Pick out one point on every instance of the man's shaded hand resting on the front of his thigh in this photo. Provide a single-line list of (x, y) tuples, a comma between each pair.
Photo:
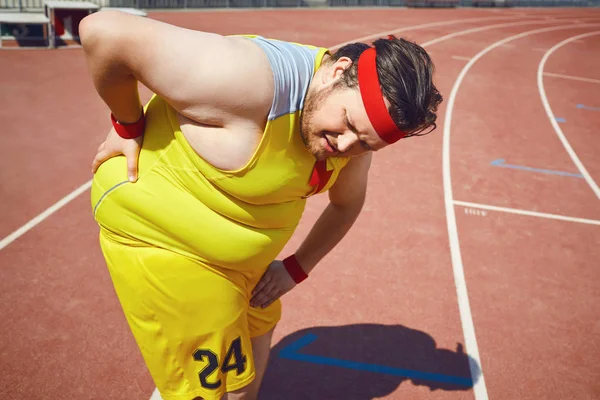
[(274, 283)]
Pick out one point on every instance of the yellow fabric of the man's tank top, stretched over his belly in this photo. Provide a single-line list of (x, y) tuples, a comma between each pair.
[(238, 219)]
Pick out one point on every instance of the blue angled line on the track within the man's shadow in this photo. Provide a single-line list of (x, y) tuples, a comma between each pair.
[(290, 352)]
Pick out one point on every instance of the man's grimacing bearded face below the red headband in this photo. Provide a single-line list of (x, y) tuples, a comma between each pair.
[(334, 122)]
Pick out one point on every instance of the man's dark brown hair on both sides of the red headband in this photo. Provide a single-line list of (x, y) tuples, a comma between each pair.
[(405, 73)]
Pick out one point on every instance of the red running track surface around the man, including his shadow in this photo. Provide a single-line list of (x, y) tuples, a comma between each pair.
[(532, 282)]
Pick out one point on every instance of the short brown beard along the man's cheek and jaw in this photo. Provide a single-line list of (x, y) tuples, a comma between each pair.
[(310, 135)]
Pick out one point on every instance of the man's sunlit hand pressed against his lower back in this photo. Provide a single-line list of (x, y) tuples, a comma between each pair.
[(113, 146)]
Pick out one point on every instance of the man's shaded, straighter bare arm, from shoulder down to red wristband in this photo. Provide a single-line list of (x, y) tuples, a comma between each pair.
[(346, 199)]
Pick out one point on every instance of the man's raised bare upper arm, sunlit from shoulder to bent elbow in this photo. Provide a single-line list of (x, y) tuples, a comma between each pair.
[(203, 75)]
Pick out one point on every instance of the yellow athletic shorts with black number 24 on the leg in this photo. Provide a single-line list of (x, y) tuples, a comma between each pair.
[(193, 326)]
